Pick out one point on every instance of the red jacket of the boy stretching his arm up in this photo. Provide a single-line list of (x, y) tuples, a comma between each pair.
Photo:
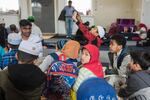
[(87, 34)]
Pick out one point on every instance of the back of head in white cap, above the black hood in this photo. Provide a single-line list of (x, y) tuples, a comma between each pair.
[(28, 52)]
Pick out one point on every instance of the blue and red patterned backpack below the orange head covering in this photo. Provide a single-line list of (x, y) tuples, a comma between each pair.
[(61, 76)]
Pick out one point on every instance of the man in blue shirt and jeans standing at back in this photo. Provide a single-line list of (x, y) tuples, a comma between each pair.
[(66, 15)]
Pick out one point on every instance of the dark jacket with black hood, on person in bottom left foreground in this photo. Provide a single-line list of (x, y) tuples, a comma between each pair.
[(21, 82)]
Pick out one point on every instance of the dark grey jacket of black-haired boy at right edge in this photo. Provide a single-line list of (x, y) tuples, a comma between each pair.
[(135, 82)]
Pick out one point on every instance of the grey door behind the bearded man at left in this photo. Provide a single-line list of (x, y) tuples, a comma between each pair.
[(43, 10)]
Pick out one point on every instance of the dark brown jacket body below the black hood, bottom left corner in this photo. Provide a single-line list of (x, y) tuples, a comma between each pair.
[(9, 92)]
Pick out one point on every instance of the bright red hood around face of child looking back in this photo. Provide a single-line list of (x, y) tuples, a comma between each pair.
[(94, 64)]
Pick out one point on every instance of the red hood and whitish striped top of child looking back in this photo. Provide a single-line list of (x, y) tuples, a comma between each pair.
[(91, 69)]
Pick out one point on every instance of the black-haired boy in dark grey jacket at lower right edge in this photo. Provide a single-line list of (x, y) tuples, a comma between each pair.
[(139, 78)]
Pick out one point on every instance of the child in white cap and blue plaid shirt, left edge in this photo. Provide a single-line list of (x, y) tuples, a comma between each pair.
[(13, 43)]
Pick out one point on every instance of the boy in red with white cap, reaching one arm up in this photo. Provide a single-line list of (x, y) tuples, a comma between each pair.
[(94, 35)]
